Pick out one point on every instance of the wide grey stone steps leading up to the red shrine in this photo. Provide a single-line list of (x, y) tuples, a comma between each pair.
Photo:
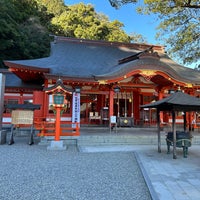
[(102, 136)]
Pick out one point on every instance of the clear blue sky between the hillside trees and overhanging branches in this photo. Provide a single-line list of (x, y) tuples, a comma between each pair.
[(133, 22)]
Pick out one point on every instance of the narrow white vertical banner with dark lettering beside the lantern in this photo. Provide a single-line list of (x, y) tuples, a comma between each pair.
[(75, 108)]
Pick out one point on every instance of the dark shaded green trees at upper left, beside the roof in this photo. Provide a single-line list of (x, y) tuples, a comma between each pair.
[(21, 34)]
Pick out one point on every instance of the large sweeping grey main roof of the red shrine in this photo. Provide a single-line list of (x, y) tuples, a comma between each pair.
[(75, 58)]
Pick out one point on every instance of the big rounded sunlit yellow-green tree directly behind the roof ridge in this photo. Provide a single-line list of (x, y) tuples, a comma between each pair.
[(81, 21)]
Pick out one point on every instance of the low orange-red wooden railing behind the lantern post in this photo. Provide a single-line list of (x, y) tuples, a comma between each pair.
[(47, 128)]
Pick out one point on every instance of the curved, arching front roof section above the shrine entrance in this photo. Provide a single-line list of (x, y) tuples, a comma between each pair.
[(165, 64)]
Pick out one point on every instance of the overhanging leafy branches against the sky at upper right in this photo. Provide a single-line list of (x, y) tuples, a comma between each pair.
[(179, 27)]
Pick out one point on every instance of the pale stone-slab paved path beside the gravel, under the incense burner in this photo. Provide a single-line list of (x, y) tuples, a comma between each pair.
[(172, 179)]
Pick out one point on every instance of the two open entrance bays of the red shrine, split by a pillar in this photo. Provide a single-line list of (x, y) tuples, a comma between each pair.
[(95, 109)]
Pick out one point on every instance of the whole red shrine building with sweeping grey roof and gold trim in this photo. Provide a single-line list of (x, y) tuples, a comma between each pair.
[(111, 78)]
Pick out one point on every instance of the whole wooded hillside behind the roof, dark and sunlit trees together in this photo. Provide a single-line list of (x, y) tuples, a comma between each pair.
[(25, 26)]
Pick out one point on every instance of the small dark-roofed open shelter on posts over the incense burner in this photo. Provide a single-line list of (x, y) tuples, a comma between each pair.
[(177, 101)]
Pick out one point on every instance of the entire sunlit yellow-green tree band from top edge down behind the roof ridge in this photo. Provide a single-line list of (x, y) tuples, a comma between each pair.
[(81, 21)]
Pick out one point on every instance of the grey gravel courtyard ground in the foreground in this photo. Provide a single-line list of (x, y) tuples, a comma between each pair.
[(34, 173)]
